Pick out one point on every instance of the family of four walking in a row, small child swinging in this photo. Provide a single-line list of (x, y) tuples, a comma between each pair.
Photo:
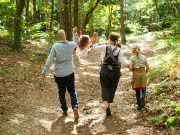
[(112, 58)]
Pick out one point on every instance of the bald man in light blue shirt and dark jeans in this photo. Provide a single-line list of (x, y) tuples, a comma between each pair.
[(61, 53)]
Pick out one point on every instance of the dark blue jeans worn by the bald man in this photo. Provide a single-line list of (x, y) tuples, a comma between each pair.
[(68, 83)]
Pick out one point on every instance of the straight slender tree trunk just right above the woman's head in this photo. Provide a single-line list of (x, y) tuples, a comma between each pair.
[(122, 20)]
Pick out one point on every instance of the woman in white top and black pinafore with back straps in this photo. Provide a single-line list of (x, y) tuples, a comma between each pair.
[(110, 70)]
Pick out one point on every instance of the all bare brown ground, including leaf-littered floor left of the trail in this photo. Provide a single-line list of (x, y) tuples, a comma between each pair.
[(32, 107)]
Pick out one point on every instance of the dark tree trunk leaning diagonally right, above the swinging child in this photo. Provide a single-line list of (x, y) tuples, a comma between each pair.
[(89, 14)]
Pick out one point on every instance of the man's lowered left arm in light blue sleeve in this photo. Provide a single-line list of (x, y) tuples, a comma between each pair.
[(49, 61)]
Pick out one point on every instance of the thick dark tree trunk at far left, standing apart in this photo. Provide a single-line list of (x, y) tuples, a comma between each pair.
[(17, 24)]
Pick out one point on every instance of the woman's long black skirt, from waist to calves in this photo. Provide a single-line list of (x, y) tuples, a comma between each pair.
[(109, 79)]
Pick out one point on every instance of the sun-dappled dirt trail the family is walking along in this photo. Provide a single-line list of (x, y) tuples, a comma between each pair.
[(38, 113)]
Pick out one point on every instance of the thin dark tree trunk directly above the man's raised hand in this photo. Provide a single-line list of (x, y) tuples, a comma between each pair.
[(76, 12)]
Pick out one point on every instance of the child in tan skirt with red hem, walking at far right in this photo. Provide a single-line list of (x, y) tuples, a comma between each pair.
[(140, 68)]
